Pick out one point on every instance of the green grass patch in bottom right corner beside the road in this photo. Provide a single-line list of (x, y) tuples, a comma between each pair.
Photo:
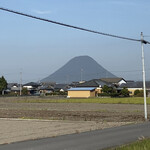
[(139, 145)]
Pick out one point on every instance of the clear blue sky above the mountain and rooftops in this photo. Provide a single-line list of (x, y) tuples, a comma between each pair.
[(37, 48)]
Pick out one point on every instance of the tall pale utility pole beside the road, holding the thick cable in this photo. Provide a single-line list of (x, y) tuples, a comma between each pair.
[(144, 86)]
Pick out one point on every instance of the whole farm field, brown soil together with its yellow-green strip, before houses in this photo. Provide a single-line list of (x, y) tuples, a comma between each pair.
[(96, 109)]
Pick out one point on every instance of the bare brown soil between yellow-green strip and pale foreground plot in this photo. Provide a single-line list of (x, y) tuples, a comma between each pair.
[(72, 111)]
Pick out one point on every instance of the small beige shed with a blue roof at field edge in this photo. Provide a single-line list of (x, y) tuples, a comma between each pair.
[(81, 92)]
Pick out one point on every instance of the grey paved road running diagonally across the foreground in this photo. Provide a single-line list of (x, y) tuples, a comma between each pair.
[(94, 140)]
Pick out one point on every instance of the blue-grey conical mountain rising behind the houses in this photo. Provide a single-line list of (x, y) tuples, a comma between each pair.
[(78, 69)]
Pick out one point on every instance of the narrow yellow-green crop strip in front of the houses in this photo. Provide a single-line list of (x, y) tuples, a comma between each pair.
[(129, 100)]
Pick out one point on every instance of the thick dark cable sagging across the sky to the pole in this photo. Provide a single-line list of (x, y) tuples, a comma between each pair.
[(75, 27)]
